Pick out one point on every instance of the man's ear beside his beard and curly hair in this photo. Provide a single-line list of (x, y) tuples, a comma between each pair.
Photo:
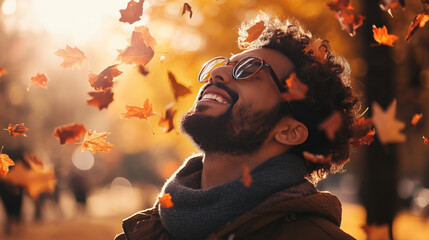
[(290, 132)]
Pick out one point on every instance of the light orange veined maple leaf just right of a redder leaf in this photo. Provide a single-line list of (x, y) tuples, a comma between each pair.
[(96, 142)]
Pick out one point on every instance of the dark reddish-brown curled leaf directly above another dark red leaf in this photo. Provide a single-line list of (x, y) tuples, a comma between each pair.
[(104, 80)]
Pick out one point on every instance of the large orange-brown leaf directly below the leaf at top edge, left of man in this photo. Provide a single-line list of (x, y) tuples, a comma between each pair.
[(140, 51)]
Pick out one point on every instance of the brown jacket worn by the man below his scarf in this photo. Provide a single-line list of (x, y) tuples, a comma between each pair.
[(300, 212)]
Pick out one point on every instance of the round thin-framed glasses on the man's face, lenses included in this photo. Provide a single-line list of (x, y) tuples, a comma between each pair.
[(243, 69)]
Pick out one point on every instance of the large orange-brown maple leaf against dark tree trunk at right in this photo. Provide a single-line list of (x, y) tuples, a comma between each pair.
[(388, 128)]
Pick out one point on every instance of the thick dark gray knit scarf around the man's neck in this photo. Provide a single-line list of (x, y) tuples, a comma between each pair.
[(199, 212)]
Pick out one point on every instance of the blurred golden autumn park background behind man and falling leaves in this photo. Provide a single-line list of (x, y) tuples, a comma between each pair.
[(94, 192)]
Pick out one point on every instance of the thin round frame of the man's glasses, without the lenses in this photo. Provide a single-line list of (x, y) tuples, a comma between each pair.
[(276, 80)]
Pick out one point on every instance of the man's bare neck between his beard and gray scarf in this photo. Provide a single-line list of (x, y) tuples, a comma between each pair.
[(220, 168)]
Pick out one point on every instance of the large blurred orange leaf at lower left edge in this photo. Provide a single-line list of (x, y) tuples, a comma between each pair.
[(35, 180)]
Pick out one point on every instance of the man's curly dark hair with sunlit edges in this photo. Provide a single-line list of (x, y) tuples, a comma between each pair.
[(329, 90)]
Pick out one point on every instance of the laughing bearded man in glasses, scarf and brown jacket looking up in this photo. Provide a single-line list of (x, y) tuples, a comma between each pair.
[(241, 119)]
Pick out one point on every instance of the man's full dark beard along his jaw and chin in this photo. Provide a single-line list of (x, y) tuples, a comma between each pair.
[(233, 132)]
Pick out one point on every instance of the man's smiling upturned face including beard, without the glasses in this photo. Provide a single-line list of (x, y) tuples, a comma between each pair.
[(236, 115)]
